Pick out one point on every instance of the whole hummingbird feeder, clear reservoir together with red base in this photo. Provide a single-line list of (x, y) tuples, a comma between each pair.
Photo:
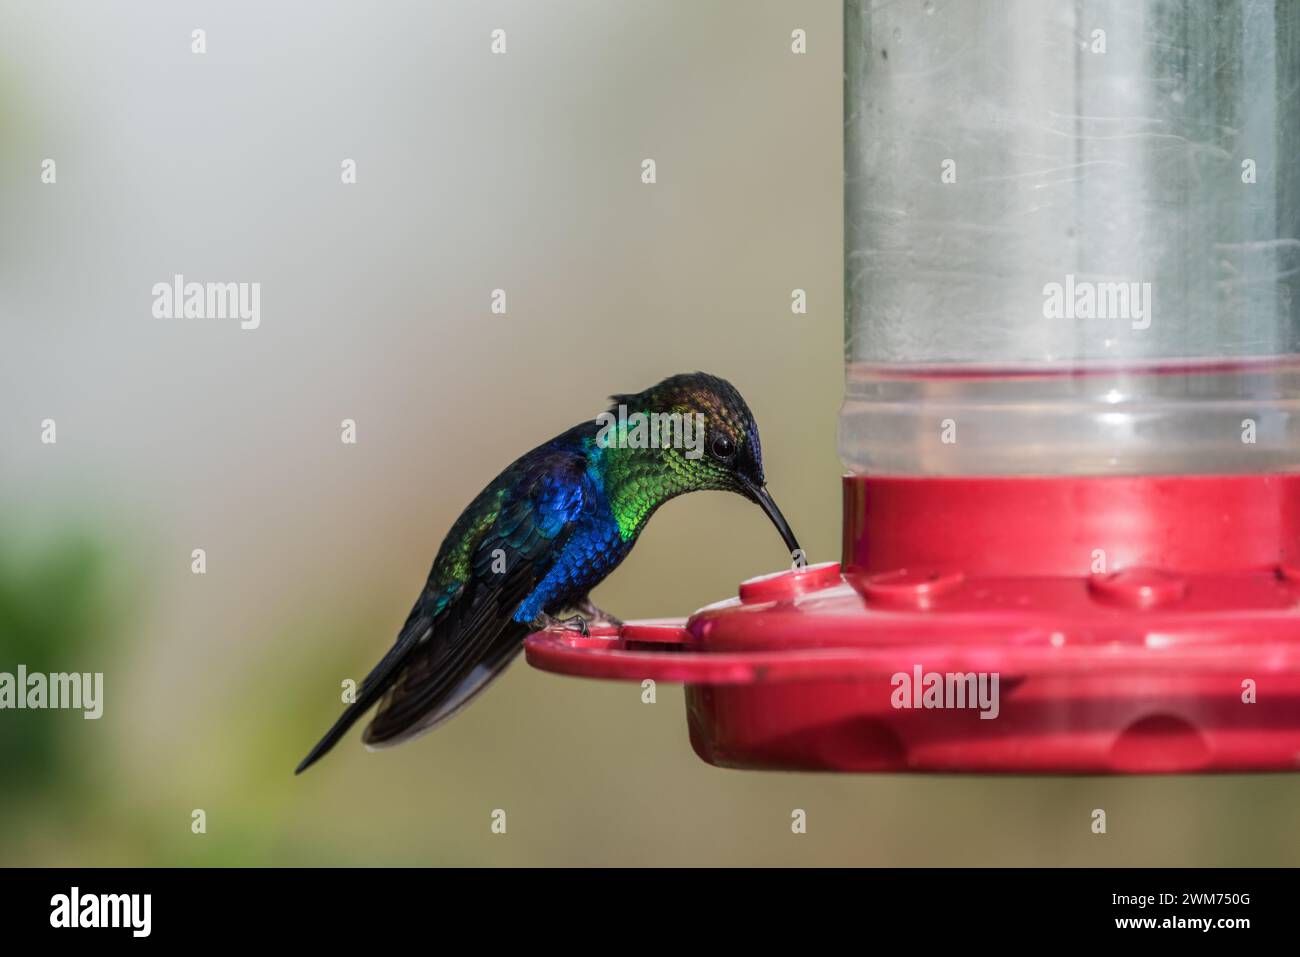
[(1072, 422)]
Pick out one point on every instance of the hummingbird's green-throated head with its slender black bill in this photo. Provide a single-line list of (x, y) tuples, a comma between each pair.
[(705, 439)]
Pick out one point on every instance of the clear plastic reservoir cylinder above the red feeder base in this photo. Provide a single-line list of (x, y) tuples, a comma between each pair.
[(1072, 237)]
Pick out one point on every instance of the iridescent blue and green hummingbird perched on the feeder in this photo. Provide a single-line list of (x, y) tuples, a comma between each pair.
[(548, 530)]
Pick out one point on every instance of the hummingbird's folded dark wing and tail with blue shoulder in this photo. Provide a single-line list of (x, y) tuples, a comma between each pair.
[(462, 633)]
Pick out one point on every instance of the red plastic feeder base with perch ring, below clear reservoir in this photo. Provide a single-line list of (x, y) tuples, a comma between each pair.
[(1112, 625)]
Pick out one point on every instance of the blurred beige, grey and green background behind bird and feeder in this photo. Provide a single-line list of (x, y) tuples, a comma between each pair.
[(474, 172)]
